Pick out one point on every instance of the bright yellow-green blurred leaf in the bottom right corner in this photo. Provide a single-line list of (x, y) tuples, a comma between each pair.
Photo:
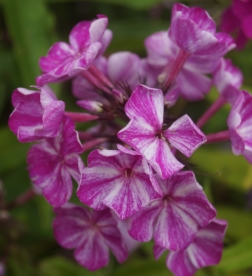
[(237, 257)]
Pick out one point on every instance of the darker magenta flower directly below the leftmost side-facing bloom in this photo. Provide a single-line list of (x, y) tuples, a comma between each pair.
[(53, 161)]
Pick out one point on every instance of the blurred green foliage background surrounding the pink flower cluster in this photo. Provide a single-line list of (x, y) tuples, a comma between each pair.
[(27, 30)]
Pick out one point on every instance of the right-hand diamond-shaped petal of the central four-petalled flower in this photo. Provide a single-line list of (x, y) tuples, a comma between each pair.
[(185, 136)]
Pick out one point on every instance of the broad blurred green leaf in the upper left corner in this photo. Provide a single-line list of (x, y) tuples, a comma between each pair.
[(30, 27)]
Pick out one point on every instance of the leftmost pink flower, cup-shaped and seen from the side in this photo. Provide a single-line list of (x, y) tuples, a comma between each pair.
[(37, 114)]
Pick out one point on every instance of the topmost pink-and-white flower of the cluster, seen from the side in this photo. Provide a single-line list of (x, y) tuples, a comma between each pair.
[(194, 32)]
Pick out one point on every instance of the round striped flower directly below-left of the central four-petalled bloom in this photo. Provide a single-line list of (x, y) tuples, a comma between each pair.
[(118, 180)]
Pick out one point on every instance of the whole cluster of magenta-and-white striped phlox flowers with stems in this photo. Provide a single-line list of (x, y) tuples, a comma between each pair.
[(135, 183)]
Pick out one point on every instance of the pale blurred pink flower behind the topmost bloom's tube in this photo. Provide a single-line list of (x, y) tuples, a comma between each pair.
[(191, 79)]
